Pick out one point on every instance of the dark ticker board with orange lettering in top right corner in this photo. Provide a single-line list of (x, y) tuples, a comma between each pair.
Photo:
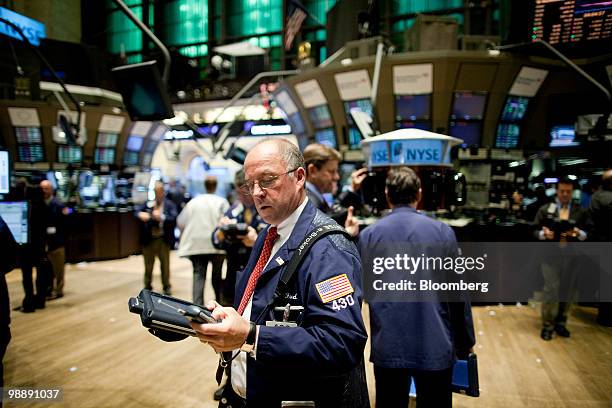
[(570, 21)]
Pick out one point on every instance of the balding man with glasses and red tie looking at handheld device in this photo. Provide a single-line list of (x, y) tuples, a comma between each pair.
[(310, 355)]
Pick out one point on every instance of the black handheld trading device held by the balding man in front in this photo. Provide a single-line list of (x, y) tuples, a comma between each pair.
[(158, 311)]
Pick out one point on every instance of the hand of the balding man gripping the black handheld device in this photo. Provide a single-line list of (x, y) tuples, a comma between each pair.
[(228, 335)]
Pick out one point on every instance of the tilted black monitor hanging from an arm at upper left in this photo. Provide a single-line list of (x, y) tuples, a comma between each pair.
[(144, 95)]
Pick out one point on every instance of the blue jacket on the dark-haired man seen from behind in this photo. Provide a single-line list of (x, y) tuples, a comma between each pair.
[(423, 336)]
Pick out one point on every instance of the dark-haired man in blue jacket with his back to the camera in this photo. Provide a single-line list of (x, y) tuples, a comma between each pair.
[(414, 339)]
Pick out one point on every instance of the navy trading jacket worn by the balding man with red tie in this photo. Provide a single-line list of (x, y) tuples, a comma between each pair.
[(310, 362)]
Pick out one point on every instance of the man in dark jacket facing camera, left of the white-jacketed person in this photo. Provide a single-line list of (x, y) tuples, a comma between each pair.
[(158, 220)]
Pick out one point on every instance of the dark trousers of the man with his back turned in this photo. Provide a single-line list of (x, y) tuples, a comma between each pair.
[(393, 386)]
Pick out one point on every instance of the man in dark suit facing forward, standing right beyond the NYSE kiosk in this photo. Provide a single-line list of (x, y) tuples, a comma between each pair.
[(560, 221)]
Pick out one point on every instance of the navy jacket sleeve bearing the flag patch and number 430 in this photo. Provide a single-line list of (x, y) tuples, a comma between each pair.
[(329, 340)]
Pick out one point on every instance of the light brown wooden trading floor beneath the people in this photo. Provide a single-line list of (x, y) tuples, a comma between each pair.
[(91, 346)]
